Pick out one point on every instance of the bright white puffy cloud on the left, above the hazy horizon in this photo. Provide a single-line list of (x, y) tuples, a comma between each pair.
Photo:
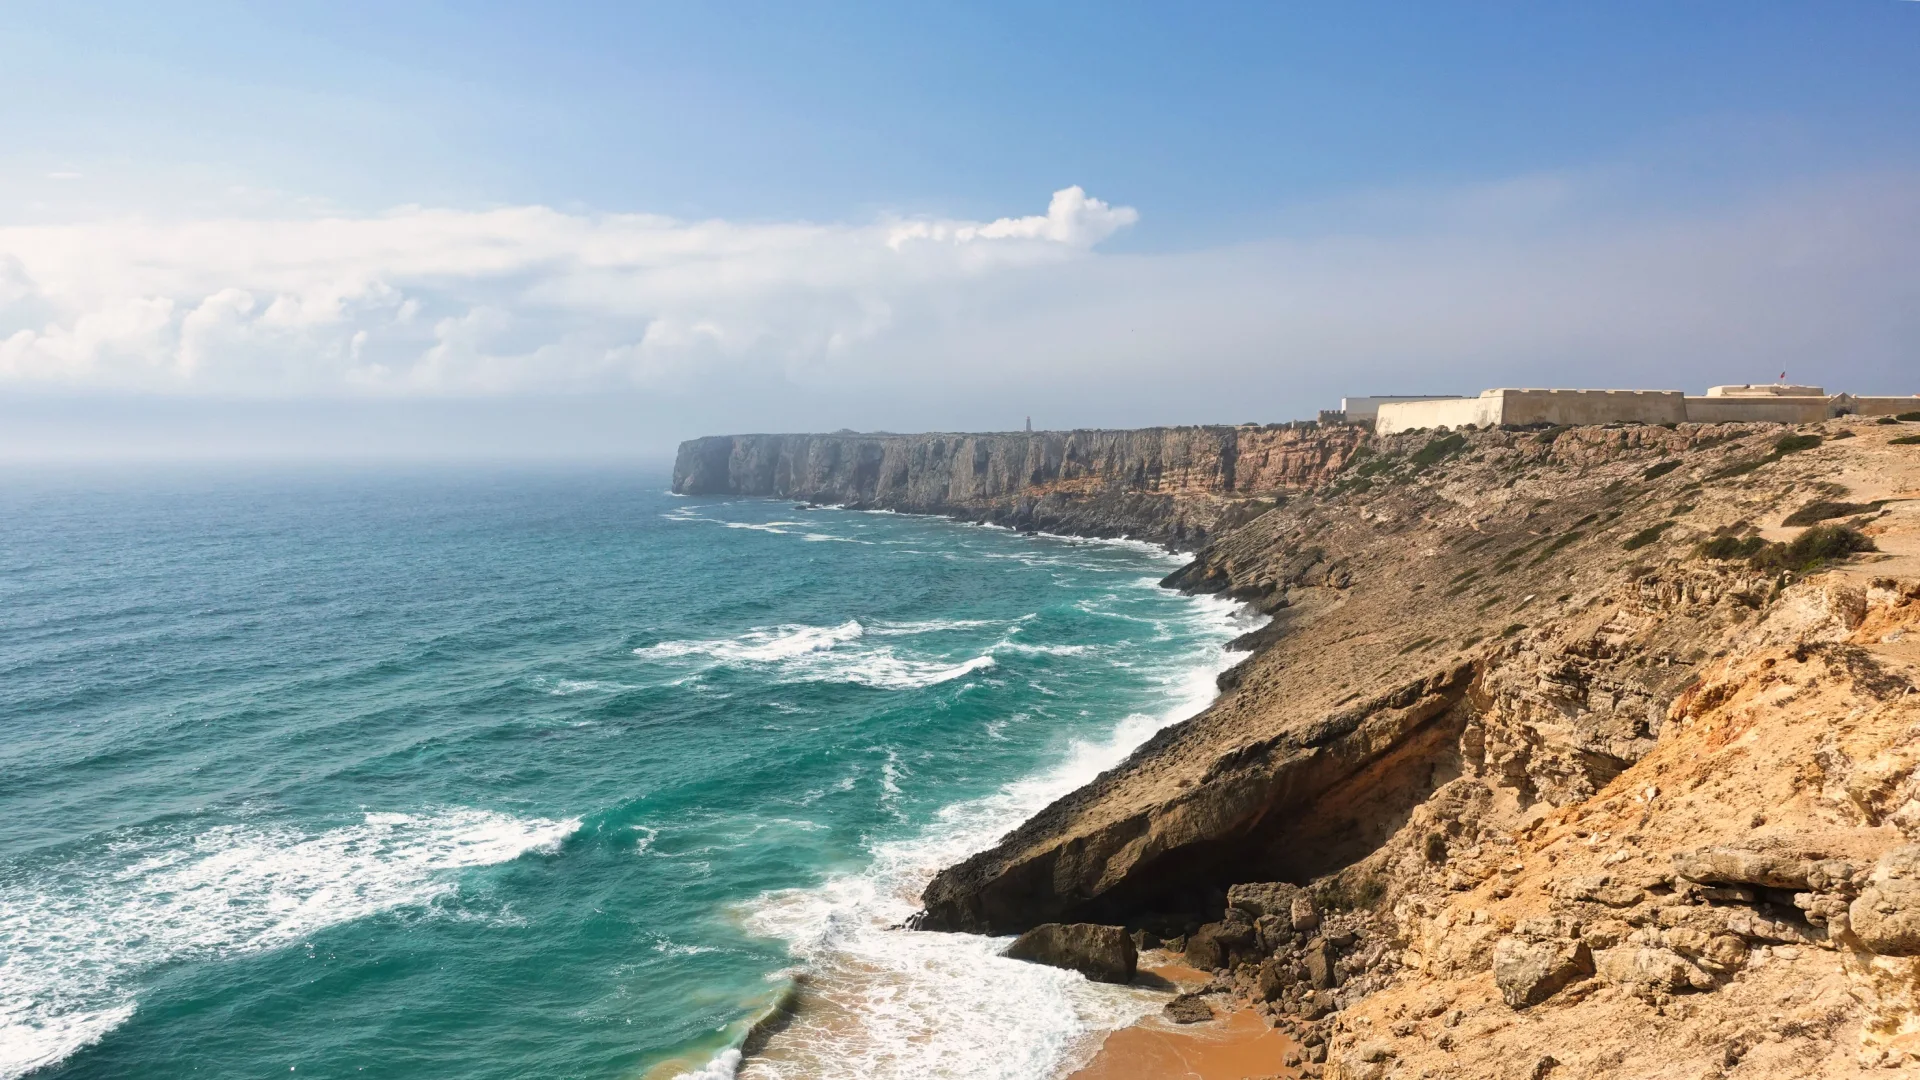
[(448, 303)]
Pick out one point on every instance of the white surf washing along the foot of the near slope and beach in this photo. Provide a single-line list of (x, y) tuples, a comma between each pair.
[(898, 1004)]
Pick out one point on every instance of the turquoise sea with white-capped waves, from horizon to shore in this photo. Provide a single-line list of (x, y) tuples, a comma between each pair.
[(540, 773)]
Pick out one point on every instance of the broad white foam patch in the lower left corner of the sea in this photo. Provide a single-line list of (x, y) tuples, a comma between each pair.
[(80, 939)]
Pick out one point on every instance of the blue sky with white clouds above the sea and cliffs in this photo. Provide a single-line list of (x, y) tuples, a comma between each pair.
[(546, 232)]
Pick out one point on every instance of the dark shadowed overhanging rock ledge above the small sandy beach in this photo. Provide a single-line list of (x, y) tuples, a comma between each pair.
[(1287, 808)]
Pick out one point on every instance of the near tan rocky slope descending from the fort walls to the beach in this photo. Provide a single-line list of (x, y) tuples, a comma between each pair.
[(1564, 756)]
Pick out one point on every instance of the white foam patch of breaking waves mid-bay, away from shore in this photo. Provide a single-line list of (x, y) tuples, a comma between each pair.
[(815, 654)]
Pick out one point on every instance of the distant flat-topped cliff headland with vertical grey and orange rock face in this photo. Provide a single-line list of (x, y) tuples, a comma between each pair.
[(1174, 485)]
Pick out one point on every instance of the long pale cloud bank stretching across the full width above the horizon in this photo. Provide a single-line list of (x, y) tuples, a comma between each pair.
[(1537, 282)]
